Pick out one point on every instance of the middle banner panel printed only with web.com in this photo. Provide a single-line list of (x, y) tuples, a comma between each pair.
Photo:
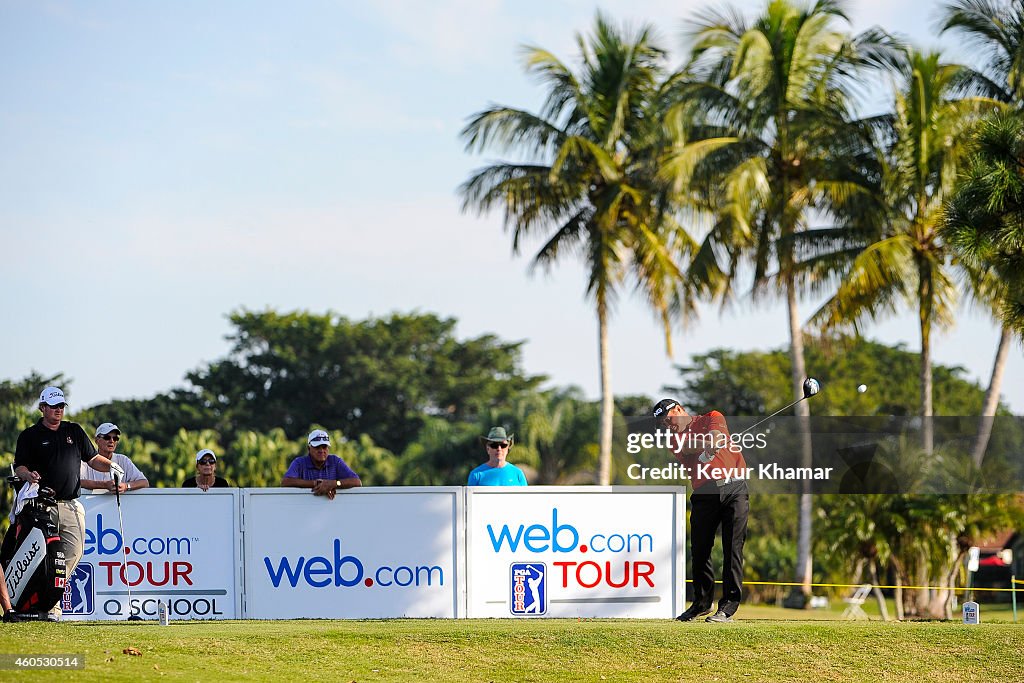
[(370, 553)]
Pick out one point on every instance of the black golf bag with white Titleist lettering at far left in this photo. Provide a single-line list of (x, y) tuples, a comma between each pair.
[(33, 557)]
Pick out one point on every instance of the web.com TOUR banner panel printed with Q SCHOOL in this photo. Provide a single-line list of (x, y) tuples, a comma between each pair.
[(183, 548)]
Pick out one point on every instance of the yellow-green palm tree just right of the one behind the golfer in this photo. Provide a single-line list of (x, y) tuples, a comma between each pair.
[(910, 263)]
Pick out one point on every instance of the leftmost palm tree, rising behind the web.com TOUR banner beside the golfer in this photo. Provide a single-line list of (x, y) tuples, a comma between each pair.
[(590, 186)]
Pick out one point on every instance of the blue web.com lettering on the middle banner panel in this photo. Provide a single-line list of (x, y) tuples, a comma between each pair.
[(348, 571)]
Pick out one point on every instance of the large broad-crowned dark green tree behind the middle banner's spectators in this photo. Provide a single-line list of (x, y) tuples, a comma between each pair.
[(381, 377)]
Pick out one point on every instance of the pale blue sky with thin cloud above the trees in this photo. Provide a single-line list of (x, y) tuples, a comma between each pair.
[(167, 163)]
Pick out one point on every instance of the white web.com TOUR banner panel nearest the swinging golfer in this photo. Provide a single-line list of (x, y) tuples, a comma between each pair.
[(576, 551)]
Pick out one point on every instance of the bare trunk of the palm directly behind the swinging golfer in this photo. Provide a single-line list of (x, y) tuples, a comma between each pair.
[(799, 370)]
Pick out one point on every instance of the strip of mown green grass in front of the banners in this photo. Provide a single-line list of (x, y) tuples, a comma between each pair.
[(757, 649)]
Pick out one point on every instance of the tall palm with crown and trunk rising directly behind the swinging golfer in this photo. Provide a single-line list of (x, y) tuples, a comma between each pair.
[(770, 139)]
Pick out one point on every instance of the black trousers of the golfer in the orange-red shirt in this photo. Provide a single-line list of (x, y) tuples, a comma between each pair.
[(713, 507)]
